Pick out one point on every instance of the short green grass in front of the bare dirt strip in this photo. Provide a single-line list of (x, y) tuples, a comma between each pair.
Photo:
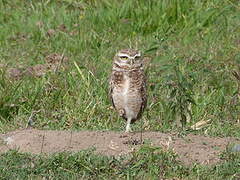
[(87, 165)]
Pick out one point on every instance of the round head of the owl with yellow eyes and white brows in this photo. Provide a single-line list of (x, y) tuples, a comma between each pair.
[(128, 59)]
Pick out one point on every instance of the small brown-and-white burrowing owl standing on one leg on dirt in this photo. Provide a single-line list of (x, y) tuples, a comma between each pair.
[(128, 85)]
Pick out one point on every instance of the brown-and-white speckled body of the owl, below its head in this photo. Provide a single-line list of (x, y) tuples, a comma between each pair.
[(128, 93)]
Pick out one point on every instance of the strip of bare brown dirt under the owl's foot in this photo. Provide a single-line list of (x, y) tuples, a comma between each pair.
[(191, 148)]
